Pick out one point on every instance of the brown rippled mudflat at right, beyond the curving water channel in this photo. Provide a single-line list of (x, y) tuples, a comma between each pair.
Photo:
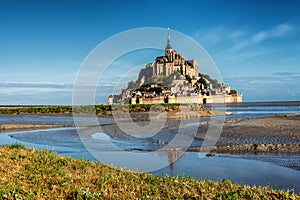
[(279, 133)]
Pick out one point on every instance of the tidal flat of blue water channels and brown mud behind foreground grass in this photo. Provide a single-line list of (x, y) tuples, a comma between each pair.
[(267, 141)]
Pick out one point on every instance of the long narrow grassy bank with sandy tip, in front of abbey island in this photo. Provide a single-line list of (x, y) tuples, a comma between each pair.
[(110, 110)]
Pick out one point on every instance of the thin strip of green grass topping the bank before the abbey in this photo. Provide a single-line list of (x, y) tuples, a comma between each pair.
[(97, 109)]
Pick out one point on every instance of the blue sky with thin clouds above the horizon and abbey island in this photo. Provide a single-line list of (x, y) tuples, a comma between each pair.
[(255, 44)]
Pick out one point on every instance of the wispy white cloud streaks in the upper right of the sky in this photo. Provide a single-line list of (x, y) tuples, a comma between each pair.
[(238, 43)]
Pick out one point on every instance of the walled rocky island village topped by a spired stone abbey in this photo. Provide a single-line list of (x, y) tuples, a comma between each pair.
[(172, 79)]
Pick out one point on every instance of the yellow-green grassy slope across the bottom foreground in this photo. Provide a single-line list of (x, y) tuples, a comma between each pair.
[(34, 174)]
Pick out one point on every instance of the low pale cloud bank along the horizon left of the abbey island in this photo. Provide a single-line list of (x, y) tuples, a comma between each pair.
[(38, 93)]
